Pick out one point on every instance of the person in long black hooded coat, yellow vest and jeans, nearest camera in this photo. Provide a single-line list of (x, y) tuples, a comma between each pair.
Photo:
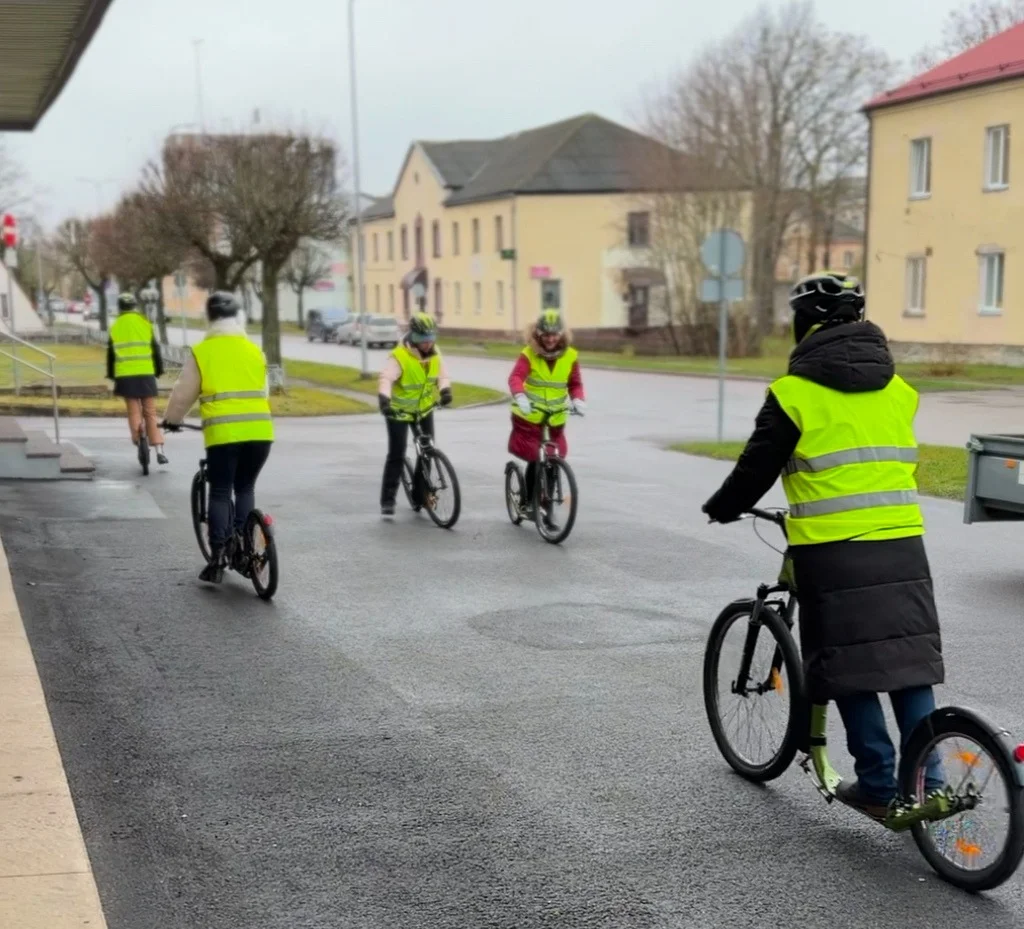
[(839, 429)]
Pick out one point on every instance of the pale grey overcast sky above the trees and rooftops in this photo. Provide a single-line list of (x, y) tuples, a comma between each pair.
[(428, 69)]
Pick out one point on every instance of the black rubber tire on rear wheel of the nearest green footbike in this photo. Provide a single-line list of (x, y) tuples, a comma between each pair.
[(957, 722)]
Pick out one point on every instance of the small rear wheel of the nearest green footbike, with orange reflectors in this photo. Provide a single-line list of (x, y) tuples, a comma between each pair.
[(958, 848)]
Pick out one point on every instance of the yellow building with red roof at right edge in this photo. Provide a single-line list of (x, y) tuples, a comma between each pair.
[(945, 262)]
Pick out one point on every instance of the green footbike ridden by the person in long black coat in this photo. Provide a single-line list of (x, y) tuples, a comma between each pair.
[(936, 818)]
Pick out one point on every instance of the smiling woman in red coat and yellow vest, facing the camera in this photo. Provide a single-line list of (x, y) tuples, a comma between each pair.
[(546, 377)]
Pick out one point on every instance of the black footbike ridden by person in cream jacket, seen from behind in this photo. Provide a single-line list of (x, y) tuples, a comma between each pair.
[(244, 553)]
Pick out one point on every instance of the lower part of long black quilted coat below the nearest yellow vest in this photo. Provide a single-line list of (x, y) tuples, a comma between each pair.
[(868, 618)]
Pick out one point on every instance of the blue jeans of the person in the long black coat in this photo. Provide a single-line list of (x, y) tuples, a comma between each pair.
[(868, 739)]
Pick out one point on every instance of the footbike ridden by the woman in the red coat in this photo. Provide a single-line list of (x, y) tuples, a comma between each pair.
[(547, 486)]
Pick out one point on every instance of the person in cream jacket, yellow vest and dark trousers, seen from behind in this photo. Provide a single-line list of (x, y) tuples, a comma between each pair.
[(227, 373)]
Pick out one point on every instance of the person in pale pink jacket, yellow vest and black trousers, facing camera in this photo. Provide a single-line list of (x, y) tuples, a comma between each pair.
[(407, 386)]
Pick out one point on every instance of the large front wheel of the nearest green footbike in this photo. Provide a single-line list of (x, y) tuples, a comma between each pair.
[(776, 683)]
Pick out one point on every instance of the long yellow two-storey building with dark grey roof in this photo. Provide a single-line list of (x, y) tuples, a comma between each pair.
[(497, 230)]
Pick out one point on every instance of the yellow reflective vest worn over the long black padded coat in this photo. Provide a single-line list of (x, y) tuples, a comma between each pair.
[(852, 474)]
